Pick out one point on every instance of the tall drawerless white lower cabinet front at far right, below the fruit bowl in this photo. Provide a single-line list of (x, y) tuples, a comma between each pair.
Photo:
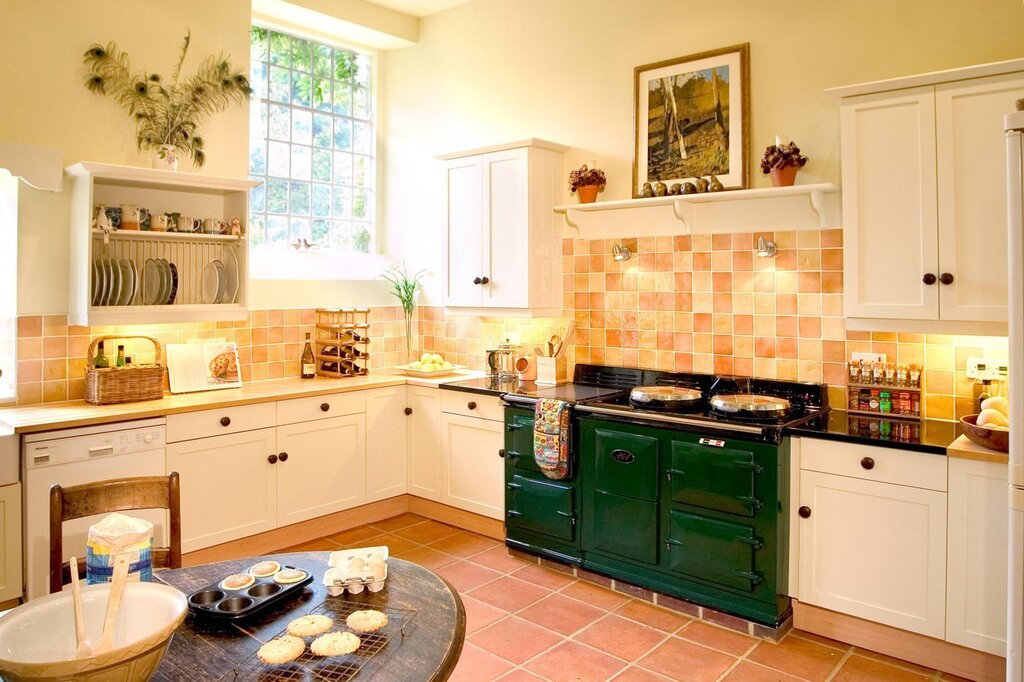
[(976, 568)]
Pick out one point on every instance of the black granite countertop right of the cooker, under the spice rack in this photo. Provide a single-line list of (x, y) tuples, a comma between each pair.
[(930, 436)]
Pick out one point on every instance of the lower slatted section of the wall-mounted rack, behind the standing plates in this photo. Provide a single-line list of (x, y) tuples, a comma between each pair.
[(188, 252)]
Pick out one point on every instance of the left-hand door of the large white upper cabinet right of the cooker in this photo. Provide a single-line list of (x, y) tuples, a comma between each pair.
[(889, 205)]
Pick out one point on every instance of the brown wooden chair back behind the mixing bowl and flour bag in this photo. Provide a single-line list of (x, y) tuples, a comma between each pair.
[(113, 496)]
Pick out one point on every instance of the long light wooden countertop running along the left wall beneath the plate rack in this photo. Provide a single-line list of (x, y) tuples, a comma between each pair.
[(31, 419)]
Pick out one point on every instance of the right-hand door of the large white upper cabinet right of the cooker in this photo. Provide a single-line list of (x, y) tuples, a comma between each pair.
[(972, 197)]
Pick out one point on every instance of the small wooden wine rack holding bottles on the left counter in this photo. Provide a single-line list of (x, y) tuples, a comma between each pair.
[(343, 337)]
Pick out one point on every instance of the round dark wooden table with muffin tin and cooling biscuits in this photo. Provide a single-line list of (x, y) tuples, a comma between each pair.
[(429, 650)]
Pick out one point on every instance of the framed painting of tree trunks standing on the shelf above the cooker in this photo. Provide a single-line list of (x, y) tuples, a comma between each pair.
[(693, 119)]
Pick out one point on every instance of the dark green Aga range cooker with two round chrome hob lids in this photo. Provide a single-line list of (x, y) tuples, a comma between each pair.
[(679, 486)]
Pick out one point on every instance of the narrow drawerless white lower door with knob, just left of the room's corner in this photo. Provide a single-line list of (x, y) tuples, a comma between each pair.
[(387, 443)]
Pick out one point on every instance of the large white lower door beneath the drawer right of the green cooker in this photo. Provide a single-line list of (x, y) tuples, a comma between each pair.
[(874, 550)]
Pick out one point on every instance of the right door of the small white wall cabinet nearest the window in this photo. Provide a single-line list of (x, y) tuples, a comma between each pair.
[(506, 229)]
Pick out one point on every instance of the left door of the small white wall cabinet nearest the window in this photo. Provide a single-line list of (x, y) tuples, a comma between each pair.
[(464, 248)]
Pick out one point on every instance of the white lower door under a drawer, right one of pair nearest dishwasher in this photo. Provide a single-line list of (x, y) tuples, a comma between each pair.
[(322, 467)]
